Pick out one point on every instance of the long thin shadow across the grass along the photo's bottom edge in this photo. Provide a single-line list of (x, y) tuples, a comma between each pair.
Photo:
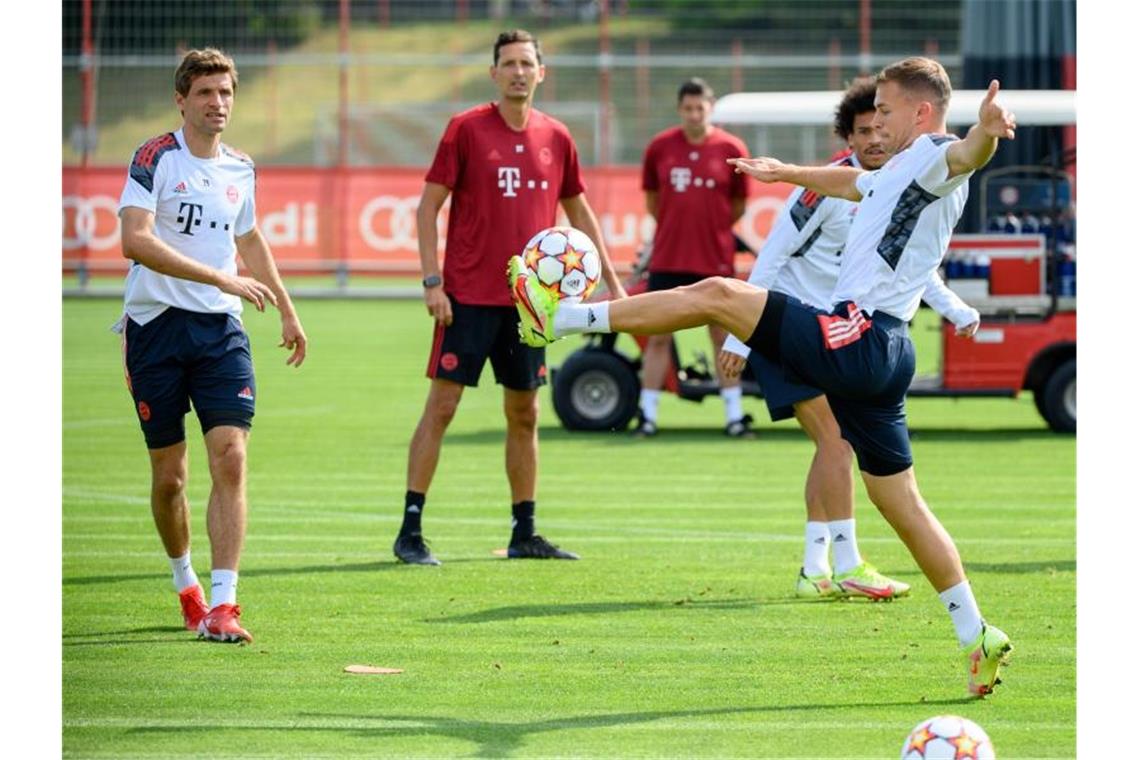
[(503, 740)]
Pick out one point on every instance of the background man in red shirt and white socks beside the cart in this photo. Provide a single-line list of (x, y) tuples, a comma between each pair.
[(696, 199)]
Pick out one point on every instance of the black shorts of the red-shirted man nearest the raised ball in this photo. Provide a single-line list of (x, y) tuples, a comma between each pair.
[(477, 334)]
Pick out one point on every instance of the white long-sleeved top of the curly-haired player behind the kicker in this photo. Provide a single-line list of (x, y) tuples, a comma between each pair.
[(803, 254)]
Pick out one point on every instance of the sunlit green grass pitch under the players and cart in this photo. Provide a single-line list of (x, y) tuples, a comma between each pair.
[(675, 636)]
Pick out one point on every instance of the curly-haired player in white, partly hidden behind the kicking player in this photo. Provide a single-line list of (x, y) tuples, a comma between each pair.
[(801, 258)]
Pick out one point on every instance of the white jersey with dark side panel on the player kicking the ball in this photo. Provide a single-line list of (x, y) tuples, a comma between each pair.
[(902, 230)]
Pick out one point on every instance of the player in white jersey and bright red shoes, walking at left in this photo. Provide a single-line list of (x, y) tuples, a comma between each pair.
[(186, 210)]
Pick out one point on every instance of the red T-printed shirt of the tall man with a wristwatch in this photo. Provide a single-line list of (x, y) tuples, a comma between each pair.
[(506, 186)]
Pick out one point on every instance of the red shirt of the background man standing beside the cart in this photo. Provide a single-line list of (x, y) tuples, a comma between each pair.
[(695, 189)]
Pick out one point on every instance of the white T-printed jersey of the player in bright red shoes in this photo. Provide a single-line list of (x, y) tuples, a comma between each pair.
[(199, 206)]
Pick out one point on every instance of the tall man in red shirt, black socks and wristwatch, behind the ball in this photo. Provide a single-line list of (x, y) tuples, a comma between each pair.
[(508, 167)]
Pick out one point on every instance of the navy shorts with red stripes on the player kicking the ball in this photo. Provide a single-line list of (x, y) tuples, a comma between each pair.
[(864, 364)]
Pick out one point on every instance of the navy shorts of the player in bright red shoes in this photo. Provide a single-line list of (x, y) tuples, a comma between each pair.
[(186, 357)]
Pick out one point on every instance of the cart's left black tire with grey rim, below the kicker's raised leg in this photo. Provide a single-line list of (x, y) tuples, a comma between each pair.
[(596, 391)]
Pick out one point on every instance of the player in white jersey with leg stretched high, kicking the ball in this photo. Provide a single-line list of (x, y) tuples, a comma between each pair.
[(860, 354)]
